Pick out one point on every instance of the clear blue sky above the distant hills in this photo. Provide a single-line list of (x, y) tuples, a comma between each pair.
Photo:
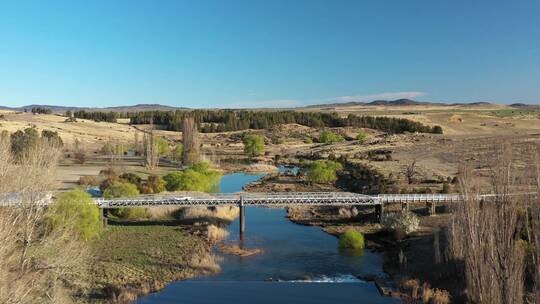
[(267, 53)]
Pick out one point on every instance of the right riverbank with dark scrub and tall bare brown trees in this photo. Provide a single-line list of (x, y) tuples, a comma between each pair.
[(455, 256)]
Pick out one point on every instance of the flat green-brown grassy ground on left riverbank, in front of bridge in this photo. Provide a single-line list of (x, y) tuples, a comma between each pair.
[(136, 258)]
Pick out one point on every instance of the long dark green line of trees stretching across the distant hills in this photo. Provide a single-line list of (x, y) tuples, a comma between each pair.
[(210, 121)]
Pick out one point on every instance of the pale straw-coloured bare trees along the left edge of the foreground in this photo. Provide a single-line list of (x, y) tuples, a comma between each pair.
[(37, 265)]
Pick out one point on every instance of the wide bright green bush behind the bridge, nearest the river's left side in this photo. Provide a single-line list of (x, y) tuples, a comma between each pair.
[(199, 177)]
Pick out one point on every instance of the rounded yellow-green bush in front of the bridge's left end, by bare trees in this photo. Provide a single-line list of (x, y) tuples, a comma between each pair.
[(76, 211)]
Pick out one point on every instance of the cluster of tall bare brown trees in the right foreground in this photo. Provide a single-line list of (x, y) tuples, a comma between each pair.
[(483, 234)]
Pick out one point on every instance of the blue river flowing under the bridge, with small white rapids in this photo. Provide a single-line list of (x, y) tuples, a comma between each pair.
[(299, 264)]
